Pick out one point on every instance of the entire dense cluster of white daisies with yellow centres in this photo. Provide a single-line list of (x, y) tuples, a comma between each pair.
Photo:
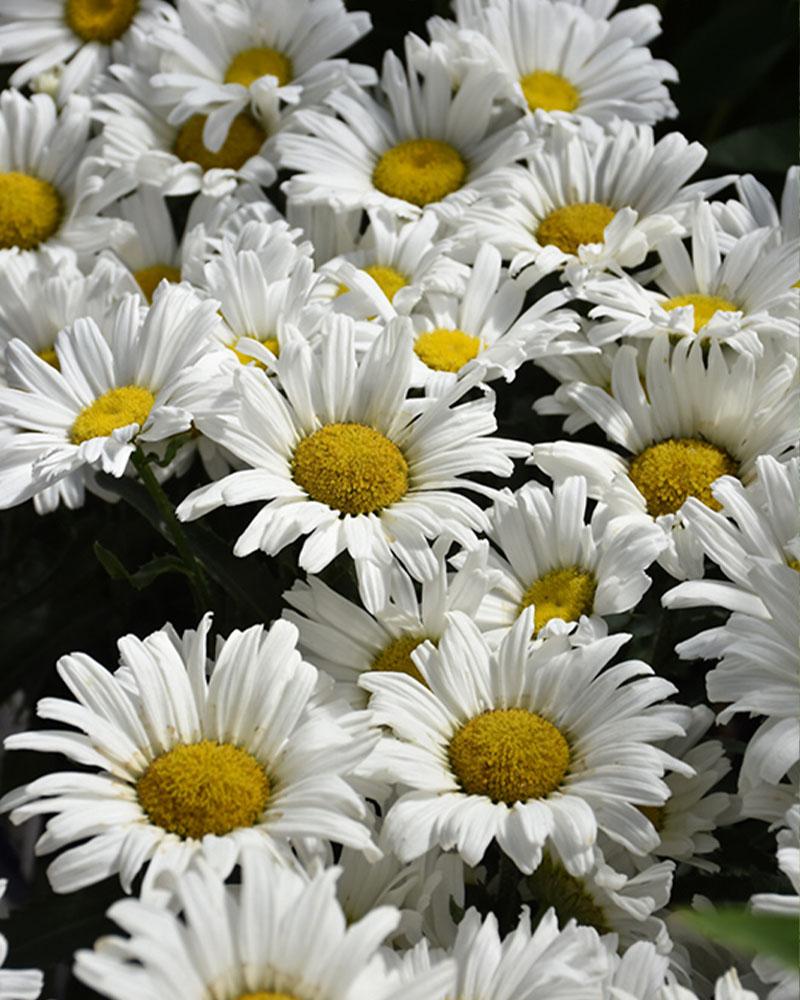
[(304, 812)]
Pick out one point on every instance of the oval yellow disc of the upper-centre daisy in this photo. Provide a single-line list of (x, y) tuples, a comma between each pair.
[(420, 171)]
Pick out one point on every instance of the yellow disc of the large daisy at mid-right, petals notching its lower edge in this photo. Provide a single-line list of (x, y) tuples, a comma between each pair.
[(668, 473)]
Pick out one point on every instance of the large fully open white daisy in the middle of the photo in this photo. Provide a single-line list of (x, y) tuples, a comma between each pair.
[(338, 452)]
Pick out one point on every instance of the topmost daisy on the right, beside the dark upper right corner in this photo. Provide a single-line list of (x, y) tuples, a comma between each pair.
[(560, 62)]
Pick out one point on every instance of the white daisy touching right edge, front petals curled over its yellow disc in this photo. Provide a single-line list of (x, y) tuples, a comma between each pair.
[(741, 299)]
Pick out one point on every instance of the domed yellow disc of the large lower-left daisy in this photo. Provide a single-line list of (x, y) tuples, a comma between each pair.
[(206, 787)]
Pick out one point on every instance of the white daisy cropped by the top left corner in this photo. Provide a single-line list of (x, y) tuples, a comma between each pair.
[(83, 34)]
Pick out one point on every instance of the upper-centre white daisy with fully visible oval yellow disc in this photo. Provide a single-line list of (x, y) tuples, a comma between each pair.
[(423, 146)]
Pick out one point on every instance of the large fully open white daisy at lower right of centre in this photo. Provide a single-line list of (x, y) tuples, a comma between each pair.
[(529, 744)]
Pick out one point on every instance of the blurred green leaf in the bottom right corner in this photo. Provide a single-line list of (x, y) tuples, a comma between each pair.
[(737, 927)]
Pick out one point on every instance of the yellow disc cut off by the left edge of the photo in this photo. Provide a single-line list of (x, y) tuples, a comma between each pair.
[(31, 210)]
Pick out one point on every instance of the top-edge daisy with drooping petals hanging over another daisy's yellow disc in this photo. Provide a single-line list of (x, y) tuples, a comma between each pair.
[(231, 59)]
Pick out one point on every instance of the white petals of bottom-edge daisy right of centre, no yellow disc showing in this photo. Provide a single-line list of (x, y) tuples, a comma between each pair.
[(541, 963)]
